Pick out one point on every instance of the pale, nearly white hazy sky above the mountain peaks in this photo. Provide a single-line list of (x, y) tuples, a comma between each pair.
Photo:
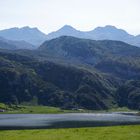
[(49, 15)]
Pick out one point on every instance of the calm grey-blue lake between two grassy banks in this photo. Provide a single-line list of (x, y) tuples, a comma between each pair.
[(69, 120)]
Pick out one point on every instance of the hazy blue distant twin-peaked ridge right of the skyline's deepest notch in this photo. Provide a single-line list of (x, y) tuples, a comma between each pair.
[(100, 33)]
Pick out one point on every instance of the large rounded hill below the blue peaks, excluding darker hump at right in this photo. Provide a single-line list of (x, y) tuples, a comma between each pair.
[(87, 51)]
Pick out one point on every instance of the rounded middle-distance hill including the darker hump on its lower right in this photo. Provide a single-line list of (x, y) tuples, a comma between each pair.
[(114, 57)]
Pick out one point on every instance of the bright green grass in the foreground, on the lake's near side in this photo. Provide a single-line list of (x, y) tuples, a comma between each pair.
[(131, 132)]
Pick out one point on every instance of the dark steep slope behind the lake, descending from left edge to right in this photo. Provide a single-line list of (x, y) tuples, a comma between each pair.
[(23, 79)]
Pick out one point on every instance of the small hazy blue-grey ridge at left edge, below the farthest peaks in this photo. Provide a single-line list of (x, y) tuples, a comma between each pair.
[(14, 45)]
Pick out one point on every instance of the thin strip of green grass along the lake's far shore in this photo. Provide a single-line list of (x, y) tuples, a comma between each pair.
[(38, 109)]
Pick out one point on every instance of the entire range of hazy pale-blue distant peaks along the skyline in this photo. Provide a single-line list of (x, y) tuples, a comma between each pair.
[(36, 37)]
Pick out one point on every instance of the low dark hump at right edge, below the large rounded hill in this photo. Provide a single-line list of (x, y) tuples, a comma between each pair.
[(125, 68)]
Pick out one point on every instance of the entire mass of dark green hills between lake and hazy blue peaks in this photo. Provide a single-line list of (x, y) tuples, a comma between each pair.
[(68, 72)]
